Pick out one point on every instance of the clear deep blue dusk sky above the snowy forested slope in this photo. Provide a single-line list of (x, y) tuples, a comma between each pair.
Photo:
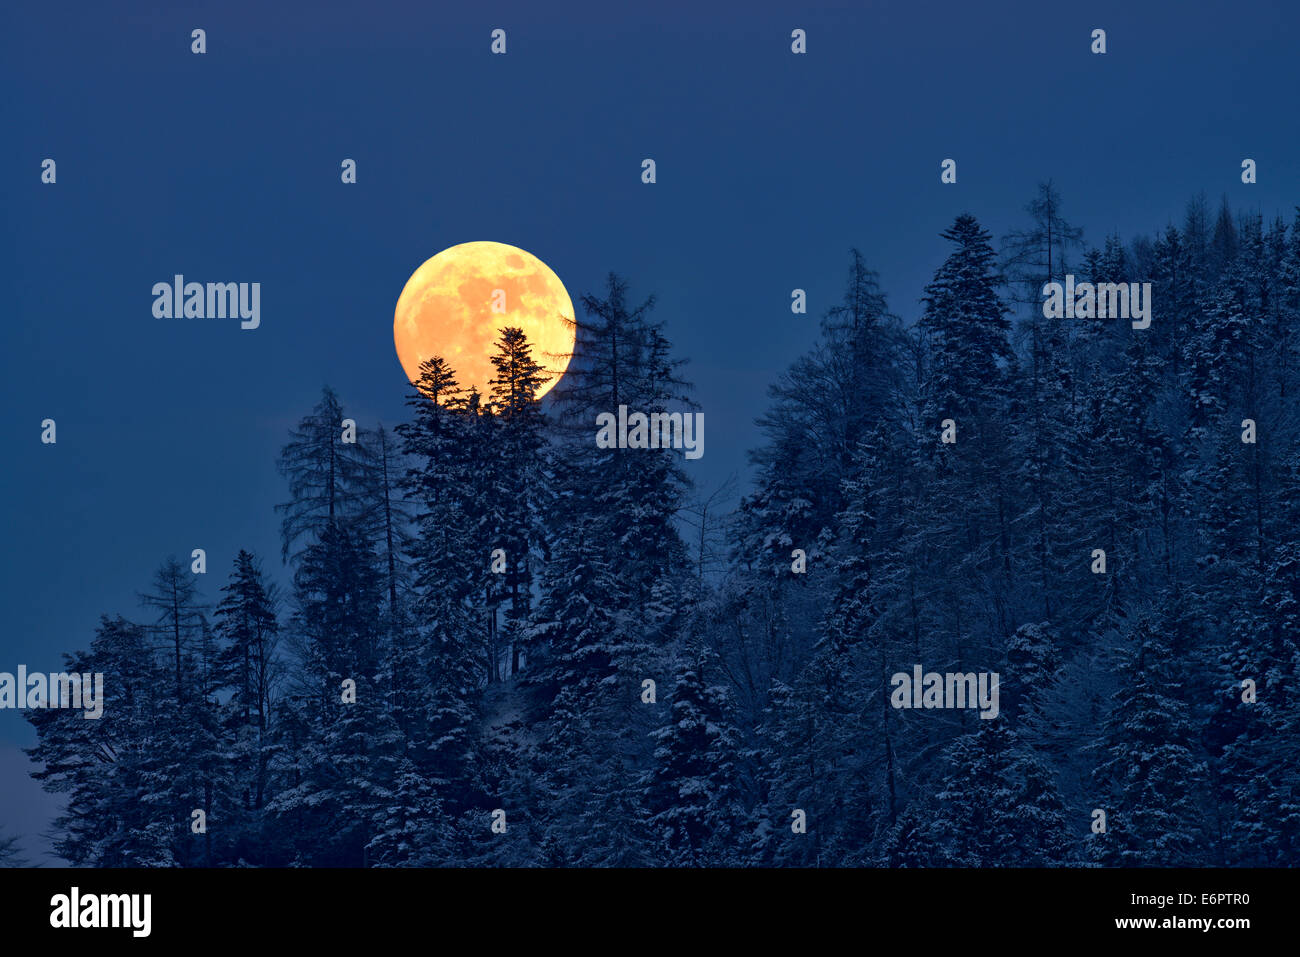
[(226, 167)]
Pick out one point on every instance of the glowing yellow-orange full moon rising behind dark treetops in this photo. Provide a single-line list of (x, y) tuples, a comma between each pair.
[(457, 304)]
